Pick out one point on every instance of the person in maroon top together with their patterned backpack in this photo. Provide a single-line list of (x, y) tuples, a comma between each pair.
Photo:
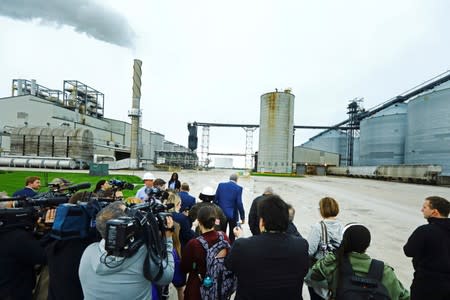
[(203, 260)]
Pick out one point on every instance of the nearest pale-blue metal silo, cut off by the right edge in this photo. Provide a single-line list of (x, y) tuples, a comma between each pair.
[(428, 138)]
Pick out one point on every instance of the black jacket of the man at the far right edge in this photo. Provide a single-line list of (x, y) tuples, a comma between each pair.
[(429, 246)]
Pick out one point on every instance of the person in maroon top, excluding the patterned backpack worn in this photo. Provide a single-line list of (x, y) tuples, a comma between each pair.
[(193, 261)]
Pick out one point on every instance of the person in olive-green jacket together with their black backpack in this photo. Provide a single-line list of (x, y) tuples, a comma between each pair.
[(352, 274)]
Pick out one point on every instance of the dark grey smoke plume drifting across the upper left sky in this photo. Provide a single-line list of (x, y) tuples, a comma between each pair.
[(86, 16)]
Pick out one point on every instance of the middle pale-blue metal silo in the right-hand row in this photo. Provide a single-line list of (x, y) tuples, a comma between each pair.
[(382, 137)]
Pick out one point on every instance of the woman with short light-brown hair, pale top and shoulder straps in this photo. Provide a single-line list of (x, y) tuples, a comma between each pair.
[(324, 237)]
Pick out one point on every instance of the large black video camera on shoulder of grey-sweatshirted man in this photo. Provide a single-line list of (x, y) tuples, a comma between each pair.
[(145, 223)]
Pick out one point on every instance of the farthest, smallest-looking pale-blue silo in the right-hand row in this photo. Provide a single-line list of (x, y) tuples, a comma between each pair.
[(334, 141)]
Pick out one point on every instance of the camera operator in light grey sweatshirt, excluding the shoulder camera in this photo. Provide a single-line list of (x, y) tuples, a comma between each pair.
[(111, 277)]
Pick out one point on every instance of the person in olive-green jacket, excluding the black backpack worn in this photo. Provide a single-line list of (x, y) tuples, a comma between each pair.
[(355, 241)]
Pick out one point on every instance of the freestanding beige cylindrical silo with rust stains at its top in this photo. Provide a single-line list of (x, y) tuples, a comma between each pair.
[(276, 129)]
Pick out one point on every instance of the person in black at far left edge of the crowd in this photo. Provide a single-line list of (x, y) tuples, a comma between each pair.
[(20, 252)]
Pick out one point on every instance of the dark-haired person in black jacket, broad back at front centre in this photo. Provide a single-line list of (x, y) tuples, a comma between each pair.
[(270, 265)]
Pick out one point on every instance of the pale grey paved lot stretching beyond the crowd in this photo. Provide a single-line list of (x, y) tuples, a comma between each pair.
[(390, 210)]
